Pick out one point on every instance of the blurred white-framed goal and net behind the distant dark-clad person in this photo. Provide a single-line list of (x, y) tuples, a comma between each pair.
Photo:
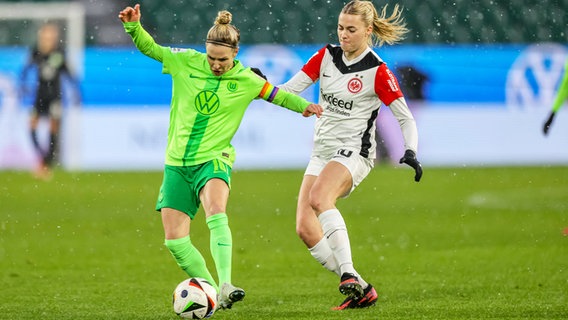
[(19, 23)]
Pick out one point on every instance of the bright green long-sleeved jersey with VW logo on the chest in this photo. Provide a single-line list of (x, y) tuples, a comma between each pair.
[(206, 110)]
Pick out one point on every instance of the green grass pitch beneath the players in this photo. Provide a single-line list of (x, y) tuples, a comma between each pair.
[(465, 243)]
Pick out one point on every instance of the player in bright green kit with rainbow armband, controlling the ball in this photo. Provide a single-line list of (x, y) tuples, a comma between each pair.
[(211, 92)]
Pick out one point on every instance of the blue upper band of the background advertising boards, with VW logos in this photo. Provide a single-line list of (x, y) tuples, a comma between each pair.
[(449, 74)]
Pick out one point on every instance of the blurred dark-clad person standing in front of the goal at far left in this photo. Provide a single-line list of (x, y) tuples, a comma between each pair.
[(50, 64)]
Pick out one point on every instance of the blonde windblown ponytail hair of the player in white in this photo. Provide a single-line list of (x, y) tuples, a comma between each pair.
[(389, 29)]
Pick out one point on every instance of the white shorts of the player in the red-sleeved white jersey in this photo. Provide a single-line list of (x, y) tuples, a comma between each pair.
[(358, 166)]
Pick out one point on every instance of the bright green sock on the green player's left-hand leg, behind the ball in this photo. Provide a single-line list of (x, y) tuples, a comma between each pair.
[(189, 258)]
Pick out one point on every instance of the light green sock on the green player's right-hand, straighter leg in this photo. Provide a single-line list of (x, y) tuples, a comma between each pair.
[(221, 243)]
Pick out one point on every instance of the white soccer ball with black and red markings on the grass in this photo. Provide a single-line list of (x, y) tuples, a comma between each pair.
[(194, 298)]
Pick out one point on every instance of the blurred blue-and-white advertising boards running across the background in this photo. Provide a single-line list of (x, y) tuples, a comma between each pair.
[(474, 105)]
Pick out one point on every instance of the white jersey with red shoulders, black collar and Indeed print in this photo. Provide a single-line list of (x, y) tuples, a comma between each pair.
[(351, 94)]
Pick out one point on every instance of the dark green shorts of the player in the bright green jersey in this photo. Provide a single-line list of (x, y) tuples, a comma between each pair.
[(181, 185)]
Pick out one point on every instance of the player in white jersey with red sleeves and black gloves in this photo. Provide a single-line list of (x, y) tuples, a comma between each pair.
[(354, 82)]
